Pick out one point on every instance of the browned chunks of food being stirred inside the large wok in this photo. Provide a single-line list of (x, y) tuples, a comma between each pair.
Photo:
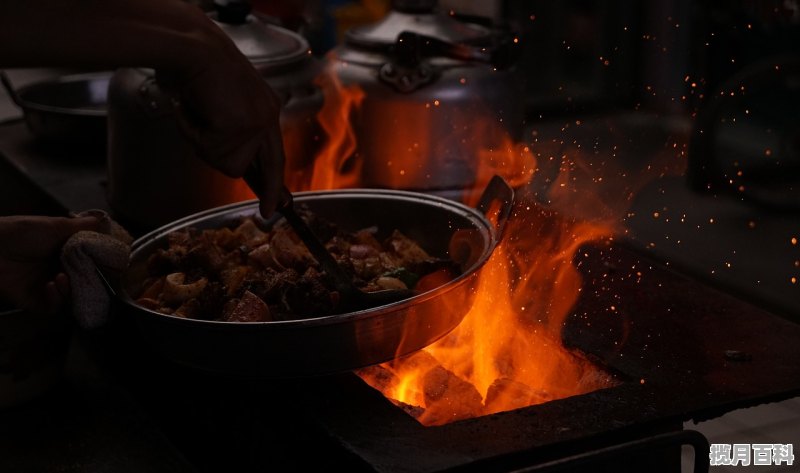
[(244, 272)]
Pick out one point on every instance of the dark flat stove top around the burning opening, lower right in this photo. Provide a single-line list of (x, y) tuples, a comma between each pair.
[(685, 350)]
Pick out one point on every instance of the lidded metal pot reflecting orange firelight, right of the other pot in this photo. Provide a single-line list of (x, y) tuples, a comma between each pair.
[(437, 93)]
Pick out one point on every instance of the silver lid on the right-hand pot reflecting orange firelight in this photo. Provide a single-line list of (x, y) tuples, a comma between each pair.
[(426, 23)]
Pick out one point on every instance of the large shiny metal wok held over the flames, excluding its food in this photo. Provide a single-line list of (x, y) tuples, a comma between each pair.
[(333, 343)]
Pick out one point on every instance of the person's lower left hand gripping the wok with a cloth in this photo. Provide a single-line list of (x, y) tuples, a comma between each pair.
[(30, 275)]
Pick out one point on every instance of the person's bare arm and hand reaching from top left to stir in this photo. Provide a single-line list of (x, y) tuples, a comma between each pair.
[(227, 109)]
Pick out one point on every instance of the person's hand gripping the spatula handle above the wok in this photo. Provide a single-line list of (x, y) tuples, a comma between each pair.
[(231, 116)]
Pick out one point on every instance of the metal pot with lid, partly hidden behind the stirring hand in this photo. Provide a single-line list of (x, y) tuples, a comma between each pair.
[(154, 174)]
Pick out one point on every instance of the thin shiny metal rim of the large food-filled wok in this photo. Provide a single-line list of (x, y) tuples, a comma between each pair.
[(397, 307)]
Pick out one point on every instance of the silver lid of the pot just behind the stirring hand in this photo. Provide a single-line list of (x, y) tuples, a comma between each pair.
[(264, 44)]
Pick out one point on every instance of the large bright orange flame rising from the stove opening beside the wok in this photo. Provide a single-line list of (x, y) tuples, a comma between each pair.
[(506, 353)]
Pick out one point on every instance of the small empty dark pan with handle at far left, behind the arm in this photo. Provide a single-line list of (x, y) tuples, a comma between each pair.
[(66, 110)]
